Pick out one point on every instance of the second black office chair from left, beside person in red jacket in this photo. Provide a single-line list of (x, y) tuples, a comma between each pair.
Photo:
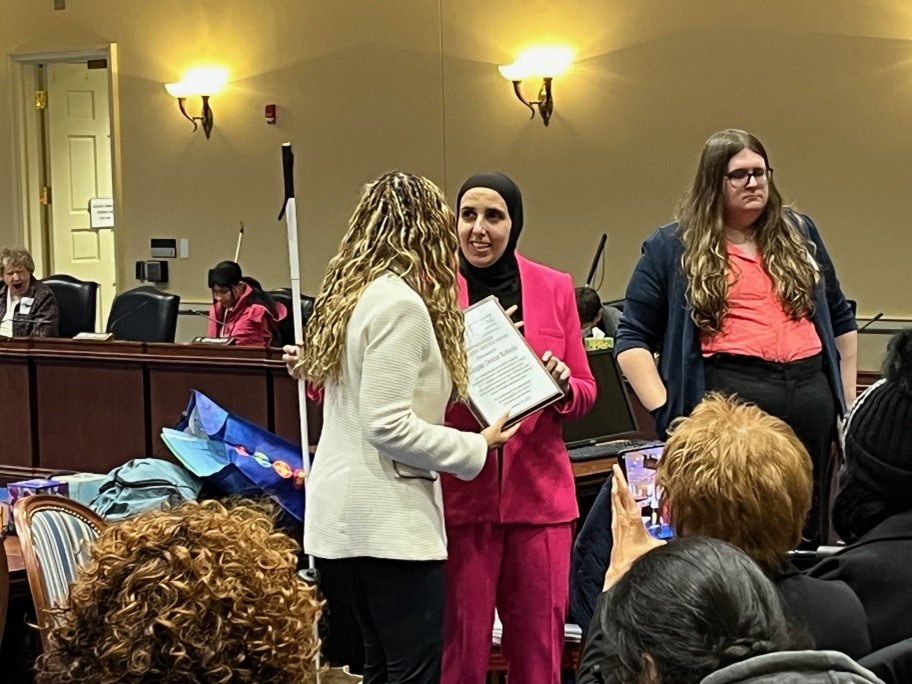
[(144, 314)]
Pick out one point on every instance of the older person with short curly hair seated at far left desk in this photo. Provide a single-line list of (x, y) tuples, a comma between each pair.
[(27, 306)]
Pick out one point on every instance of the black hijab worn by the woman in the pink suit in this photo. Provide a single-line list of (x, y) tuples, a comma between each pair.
[(501, 278)]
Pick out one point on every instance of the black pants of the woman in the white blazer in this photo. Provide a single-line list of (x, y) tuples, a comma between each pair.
[(399, 608)]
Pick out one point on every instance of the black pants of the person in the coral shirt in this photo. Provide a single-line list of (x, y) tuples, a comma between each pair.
[(797, 392)]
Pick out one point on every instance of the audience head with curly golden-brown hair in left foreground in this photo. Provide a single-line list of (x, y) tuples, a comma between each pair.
[(201, 593)]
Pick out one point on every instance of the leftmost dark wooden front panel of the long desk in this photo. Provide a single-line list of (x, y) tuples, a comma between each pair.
[(16, 435)]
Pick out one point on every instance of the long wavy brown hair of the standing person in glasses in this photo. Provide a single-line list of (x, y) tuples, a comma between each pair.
[(787, 254)]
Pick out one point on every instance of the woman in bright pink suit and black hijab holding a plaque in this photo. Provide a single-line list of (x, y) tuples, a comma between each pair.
[(510, 529)]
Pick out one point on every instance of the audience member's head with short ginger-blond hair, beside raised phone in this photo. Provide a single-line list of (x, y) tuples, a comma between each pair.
[(732, 472)]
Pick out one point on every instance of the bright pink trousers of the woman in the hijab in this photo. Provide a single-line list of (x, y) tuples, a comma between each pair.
[(523, 571)]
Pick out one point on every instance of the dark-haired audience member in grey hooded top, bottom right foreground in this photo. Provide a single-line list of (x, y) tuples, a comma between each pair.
[(698, 610)]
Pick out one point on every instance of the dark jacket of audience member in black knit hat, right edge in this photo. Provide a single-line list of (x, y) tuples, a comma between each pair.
[(878, 567)]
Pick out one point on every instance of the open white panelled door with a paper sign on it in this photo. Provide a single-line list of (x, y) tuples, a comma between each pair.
[(79, 147)]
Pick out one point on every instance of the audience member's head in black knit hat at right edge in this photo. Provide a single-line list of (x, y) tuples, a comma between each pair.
[(877, 482)]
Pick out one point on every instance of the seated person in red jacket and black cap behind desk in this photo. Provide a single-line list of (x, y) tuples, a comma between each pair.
[(240, 309)]
